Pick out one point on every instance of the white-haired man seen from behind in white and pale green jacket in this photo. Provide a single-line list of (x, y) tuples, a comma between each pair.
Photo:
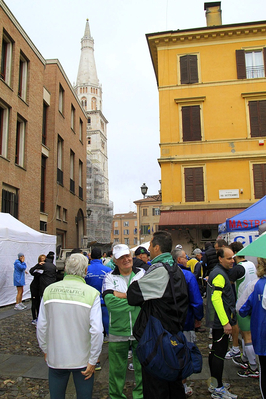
[(70, 331)]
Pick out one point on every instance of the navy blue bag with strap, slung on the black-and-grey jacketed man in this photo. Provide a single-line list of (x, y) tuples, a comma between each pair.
[(167, 356)]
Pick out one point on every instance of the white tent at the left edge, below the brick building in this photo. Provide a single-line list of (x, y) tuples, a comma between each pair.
[(16, 237)]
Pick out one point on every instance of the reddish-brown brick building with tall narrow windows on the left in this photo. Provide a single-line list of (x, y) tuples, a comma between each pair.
[(41, 139)]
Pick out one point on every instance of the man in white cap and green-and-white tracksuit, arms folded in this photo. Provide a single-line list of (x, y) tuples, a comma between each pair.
[(122, 317)]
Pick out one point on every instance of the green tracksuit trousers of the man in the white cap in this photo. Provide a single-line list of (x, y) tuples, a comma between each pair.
[(118, 361)]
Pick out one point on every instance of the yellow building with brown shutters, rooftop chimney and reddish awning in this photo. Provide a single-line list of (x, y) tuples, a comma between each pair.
[(212, 98)]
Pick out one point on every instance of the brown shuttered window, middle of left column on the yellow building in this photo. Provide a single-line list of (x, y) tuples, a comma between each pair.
[(191, 123)]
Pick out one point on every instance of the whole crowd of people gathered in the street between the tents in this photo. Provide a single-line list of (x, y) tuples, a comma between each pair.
[(110, 297)]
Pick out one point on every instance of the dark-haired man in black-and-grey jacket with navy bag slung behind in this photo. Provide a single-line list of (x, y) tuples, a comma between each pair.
[(153, 292)]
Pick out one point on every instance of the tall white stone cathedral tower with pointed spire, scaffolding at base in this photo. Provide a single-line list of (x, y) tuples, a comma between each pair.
[(89, 91)]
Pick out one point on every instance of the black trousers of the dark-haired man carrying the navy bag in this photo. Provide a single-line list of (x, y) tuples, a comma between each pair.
[(153, 388)]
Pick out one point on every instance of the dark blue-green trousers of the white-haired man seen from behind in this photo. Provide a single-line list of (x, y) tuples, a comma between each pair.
[(58, 379)]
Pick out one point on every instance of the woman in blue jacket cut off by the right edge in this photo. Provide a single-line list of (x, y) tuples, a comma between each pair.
[(255, 306)]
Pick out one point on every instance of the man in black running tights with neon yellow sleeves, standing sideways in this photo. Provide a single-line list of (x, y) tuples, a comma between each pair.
[(221, 316)]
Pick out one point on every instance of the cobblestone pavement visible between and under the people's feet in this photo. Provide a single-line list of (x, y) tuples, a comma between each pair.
[(18, 337)]
